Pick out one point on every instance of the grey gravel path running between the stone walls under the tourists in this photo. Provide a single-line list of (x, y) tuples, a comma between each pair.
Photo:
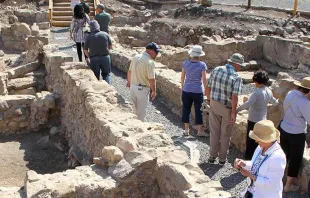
[(230, 179)]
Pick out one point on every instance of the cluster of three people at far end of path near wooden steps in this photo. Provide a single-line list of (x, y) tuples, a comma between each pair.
[(94, 43)]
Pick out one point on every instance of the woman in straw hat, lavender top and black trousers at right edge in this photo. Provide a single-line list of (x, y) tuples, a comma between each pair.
[(293, 128)]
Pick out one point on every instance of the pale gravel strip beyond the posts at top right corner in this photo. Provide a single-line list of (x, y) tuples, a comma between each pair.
[(287, 4)]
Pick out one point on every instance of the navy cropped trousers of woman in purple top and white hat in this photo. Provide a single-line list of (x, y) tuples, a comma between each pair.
[(188, 99)]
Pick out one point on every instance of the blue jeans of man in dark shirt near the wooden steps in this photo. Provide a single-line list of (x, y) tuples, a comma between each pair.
[(103, 64)]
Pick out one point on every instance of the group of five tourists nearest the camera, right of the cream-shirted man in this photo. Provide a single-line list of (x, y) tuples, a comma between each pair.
[(268, 148)]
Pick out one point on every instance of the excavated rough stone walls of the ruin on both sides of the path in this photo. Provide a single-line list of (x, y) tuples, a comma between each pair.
[(120, 156)]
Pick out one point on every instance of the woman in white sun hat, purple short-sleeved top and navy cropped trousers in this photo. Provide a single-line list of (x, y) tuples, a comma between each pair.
[(194, 85)]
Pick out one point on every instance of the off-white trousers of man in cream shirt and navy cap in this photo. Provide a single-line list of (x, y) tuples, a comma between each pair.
[(140, 99)]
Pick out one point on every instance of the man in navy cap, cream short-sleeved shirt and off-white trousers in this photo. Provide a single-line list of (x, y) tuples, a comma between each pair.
[(141, 79)]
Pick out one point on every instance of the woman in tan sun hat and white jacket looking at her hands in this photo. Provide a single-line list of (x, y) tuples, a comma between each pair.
[(265, 171)]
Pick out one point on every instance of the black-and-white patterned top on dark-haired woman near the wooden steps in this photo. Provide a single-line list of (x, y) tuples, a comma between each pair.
[(77, 28)]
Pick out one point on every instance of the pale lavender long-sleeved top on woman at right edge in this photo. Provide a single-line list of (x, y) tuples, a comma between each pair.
[(298, 114)]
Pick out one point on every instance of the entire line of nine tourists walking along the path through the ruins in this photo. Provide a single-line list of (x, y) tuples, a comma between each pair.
[(269, 149)]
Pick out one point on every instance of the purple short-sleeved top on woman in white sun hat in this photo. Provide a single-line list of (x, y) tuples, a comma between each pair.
[(193, 77)]
